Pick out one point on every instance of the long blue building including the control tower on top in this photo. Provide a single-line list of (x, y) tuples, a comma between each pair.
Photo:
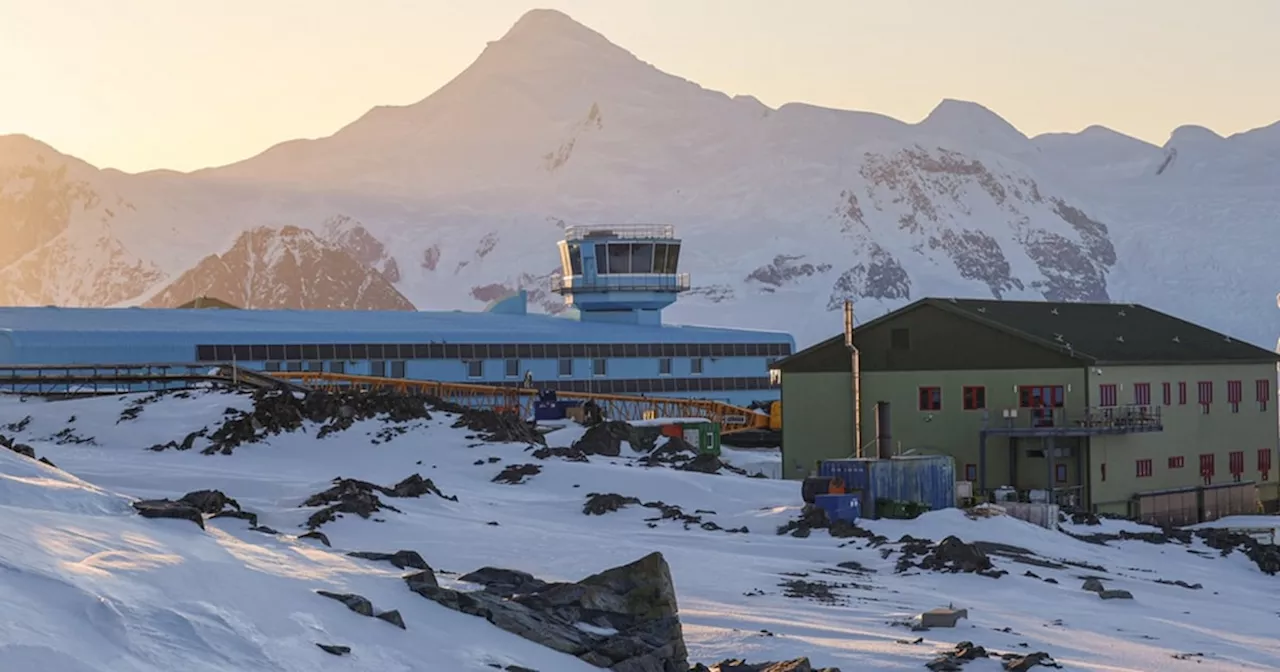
[(616, 280)]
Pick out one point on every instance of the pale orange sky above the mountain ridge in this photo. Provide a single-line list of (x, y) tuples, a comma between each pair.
[(159, 84)]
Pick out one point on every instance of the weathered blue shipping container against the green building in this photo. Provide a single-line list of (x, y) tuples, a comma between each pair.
[(929, 479)]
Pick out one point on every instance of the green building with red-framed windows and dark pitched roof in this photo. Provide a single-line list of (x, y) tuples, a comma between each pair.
[(1114, 408)]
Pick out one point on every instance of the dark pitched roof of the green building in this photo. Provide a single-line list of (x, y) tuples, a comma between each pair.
[(1094, 333)]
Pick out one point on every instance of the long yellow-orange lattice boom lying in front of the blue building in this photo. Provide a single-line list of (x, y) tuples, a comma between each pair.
[(522, 400)]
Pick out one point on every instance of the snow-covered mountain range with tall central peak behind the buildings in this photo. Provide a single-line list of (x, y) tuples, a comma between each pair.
[(785, 212)]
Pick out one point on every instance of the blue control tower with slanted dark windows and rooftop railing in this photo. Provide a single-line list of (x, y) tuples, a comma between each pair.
[(621, 275)]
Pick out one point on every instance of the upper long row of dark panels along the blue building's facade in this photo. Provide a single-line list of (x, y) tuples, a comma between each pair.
[(483, 351)]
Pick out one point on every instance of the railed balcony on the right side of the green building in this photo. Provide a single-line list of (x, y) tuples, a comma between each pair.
[(1090, 422)]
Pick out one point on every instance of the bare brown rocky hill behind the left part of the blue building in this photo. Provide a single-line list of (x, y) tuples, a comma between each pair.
[(294, 268)]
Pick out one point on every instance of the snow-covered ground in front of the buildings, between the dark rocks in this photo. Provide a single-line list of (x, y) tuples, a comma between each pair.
[(89, 586)]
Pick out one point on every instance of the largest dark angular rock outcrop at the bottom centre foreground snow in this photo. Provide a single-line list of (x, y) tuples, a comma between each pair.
[(624, 619)]
